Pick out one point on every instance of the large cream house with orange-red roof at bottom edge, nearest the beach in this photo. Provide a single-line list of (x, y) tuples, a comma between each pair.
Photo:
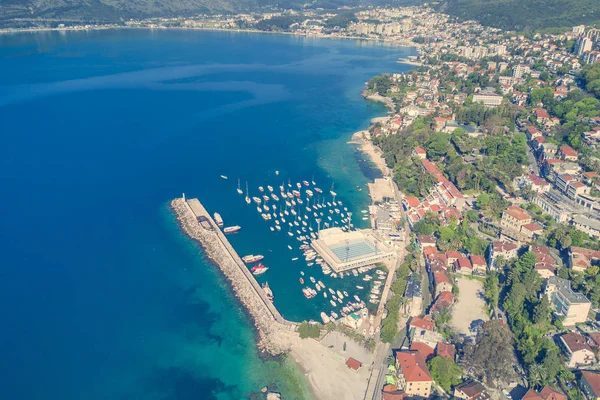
[(413, 375)]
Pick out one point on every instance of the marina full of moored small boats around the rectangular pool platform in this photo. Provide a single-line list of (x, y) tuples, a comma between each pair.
[(320, 236)]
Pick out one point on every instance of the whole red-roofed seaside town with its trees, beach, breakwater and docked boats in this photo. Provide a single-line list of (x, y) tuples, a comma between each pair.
[(486, 219)]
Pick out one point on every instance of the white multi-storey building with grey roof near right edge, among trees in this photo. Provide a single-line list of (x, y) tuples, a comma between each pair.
[(572, 306)]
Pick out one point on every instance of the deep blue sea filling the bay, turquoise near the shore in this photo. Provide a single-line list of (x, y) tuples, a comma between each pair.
[(101, 295)]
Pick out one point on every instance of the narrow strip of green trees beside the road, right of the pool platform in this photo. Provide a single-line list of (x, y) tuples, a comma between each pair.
[(389, 326)]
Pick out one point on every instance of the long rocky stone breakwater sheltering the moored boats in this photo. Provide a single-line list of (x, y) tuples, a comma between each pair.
[(275, 335)]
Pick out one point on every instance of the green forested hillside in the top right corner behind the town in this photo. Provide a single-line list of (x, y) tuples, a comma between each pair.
[(525, 14)]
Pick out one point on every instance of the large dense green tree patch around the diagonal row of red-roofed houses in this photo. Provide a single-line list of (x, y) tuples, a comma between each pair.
[(498, 159)]
